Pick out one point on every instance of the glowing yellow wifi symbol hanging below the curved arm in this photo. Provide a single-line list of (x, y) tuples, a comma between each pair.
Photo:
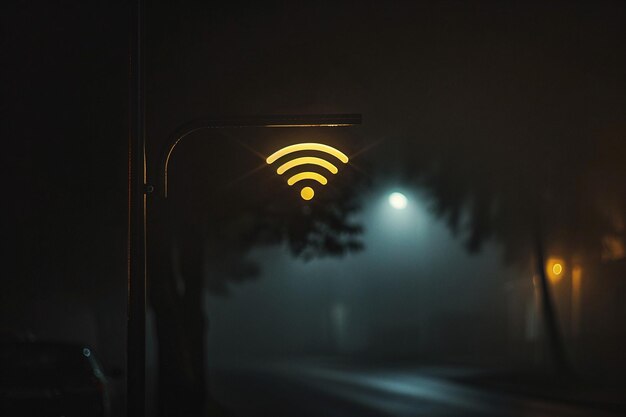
[(307, 193)]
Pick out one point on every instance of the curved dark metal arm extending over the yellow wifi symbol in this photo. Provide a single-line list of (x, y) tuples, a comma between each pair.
[(271, 121)]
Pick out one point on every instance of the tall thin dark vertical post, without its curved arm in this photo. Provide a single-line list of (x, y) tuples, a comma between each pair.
[(136, 312)]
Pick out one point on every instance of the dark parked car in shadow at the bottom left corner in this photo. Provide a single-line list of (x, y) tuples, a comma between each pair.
[(51, 379)]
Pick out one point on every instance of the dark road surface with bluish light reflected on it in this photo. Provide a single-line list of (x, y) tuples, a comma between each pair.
[(324, 391)]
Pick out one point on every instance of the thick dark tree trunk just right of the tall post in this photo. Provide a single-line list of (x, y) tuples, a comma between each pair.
[(180, 319)]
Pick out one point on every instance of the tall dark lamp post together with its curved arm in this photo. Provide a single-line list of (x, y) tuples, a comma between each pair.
[(139, 187)]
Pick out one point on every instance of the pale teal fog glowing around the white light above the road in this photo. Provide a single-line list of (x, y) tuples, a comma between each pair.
[(413, 290)]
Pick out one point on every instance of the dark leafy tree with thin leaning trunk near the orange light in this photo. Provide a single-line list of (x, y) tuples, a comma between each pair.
[(536, 179)]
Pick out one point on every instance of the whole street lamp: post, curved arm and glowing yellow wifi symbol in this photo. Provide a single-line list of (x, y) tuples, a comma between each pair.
[(146, 179)]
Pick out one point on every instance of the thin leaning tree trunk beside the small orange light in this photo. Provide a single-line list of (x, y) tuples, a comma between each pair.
[(548, 312)]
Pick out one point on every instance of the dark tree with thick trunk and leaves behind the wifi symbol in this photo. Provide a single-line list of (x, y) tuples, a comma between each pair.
[(199, 238)]
